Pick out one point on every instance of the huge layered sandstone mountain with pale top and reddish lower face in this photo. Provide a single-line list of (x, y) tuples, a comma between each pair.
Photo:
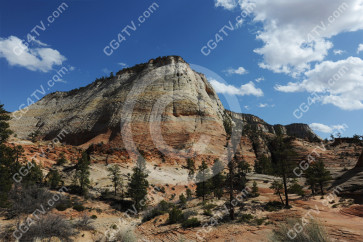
[(162, 105)]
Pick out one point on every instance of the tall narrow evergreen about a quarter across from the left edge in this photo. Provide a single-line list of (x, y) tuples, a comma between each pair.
[(82, 173)]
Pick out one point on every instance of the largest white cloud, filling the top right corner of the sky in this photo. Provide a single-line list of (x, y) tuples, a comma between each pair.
[(296, 33)]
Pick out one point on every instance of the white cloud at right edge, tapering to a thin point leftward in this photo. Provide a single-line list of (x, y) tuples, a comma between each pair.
[(339, 83)]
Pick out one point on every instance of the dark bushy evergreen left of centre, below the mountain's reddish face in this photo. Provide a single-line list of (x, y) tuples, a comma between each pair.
[(138, 185)]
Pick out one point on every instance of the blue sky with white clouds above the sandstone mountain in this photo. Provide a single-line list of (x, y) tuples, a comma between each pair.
[(275, 58)]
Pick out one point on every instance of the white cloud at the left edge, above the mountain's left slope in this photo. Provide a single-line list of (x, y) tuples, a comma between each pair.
[(33, 58)]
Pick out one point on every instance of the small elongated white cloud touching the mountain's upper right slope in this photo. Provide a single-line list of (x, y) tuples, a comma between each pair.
[(243, 90)]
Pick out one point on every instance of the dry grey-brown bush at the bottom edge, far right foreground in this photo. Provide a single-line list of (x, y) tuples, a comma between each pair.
[(313, 231)]
